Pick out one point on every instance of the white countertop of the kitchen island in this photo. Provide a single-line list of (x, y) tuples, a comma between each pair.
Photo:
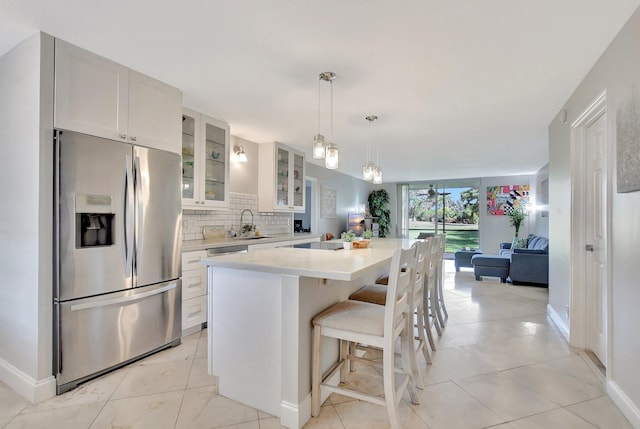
[(340, 264)]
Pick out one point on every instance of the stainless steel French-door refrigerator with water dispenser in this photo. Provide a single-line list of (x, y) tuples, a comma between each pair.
[(117, 289)]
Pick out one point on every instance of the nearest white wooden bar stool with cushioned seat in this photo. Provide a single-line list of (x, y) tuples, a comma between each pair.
[(374, 325)]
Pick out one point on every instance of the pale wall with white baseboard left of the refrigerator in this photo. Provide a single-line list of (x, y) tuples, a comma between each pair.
[(26, 117)]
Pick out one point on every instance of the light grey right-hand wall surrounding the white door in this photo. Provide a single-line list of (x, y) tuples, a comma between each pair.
[(618, 73)]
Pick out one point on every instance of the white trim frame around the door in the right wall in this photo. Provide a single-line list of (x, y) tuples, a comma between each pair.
[(578, 306)]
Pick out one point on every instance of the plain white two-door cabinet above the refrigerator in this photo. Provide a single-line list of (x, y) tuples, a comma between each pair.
[(96, 96)]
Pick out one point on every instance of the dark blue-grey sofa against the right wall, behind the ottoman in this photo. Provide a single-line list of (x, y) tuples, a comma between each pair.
[(529, 265)]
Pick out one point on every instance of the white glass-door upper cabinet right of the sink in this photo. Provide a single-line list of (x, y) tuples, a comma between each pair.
[(281, 186)]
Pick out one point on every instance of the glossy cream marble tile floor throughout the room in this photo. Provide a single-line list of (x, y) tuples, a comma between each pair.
[(500, 363)]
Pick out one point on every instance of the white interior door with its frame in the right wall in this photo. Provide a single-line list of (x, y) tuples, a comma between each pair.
[(590, 289)]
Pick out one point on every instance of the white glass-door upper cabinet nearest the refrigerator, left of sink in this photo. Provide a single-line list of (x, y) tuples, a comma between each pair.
[(205, 162)]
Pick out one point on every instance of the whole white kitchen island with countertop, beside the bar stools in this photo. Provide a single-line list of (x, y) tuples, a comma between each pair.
[(260, 309)]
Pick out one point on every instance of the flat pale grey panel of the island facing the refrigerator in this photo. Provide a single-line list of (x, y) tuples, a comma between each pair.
[(244, 328)]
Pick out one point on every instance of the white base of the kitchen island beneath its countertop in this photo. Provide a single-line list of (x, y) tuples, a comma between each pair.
[(260, 336)]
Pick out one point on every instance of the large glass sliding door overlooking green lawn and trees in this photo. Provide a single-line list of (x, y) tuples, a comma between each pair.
[(446, 208)]
